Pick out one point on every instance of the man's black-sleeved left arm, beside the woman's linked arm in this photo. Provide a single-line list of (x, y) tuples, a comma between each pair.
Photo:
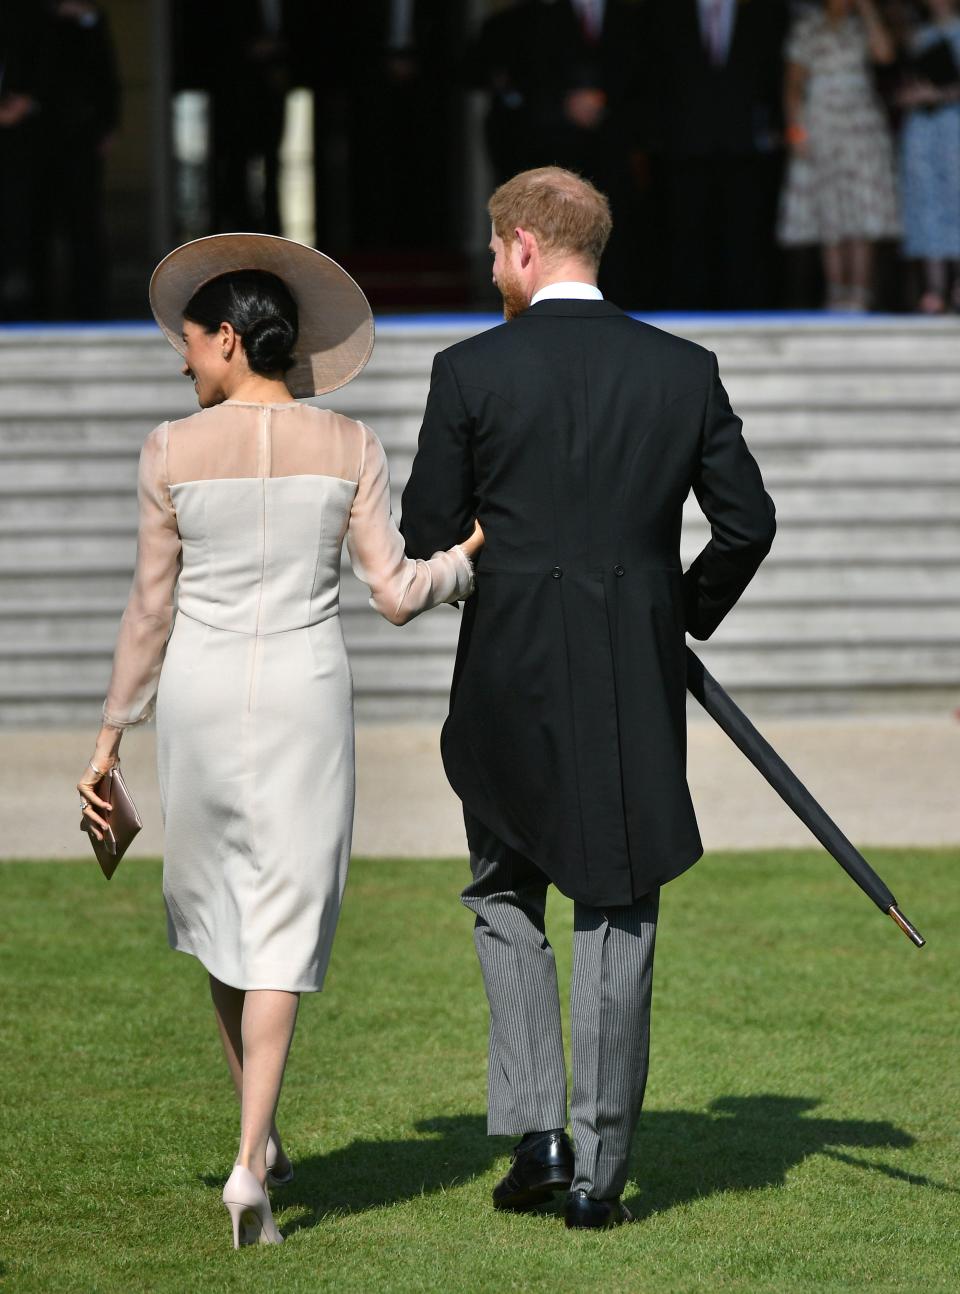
[(439, 507)]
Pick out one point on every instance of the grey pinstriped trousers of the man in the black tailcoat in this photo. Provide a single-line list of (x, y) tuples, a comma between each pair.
[(610, 1013)]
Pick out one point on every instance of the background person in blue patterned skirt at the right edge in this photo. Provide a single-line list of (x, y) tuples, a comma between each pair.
[(931, 157)]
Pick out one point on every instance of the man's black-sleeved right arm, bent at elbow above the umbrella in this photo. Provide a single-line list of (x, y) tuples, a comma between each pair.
[(730, 492)]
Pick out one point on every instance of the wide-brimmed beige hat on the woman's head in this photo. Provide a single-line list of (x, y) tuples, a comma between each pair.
[(337, 324)]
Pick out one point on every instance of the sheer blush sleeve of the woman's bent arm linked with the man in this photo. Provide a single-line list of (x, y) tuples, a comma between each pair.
[(400, 587)]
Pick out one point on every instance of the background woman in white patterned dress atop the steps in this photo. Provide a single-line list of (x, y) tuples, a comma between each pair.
[(840, 191)]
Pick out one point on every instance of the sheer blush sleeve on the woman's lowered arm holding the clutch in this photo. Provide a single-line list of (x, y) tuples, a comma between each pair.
[(147, 622)]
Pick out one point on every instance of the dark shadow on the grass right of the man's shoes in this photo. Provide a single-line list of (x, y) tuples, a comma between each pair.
[(746, 1143)]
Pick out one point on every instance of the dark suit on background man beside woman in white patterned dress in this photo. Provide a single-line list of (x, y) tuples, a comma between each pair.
[(716, 129)]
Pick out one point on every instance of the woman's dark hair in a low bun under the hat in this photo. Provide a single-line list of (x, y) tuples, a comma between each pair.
[(262, 311)]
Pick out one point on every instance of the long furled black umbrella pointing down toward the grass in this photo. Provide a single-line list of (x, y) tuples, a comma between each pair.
[(792, 791)]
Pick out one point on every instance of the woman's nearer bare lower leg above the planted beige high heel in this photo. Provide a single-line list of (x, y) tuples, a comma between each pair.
[(267, 1031)]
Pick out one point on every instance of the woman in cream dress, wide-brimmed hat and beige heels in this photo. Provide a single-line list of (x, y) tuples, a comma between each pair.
[(244, 510)]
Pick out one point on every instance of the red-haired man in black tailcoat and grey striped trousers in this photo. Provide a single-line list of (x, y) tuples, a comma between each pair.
[(575, 434)]
